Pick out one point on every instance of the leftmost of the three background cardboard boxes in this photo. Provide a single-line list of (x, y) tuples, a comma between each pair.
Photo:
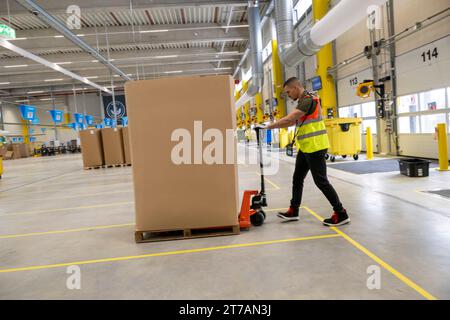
[(91, 148)]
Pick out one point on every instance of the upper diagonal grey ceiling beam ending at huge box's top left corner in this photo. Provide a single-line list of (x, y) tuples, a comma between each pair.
[(55, 23)]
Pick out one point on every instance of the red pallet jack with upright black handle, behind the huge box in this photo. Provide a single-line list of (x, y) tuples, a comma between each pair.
[(254, 200)]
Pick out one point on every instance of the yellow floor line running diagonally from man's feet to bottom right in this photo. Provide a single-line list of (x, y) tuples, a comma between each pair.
[(378, 260)]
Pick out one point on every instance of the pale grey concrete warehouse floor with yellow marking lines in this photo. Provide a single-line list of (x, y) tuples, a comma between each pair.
[(54, 214)]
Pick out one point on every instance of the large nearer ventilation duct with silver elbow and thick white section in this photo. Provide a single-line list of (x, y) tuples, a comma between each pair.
[(337, 21)]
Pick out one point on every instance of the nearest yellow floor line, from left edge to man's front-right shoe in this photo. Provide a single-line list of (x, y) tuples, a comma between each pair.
[(160, 254)]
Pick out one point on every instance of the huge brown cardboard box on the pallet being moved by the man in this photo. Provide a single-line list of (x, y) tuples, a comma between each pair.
[(170, 196)]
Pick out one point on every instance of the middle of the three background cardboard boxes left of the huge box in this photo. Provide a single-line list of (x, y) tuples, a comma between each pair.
[(113, 146)]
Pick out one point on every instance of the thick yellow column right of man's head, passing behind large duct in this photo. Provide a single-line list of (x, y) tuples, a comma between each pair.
[(325, 60)]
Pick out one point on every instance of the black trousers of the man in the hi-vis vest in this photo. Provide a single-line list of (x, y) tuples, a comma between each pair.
[(317, 164)]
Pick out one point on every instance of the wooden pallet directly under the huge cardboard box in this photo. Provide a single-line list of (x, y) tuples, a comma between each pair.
[(152, 236)]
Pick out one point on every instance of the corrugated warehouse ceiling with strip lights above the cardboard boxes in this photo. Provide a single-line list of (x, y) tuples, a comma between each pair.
[(145, 39)]
